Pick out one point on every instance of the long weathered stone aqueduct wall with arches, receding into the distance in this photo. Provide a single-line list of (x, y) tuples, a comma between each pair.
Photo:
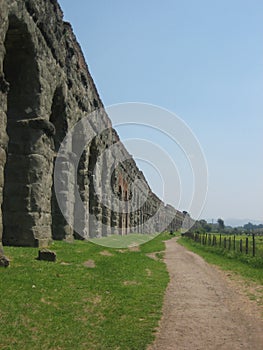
[(45, 88)]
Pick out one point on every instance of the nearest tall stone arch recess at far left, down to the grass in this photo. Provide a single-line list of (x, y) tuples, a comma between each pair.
[(20, 206)]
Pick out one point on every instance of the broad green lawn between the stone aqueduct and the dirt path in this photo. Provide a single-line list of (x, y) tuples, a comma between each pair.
[(67, 305)]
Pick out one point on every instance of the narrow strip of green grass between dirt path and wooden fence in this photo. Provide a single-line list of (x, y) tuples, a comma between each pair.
[(246, 266)]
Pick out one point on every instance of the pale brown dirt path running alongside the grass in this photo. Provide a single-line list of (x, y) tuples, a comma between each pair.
[(202, 308)]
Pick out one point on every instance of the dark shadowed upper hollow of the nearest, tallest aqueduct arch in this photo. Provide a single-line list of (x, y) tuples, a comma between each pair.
[(21, 71)]
